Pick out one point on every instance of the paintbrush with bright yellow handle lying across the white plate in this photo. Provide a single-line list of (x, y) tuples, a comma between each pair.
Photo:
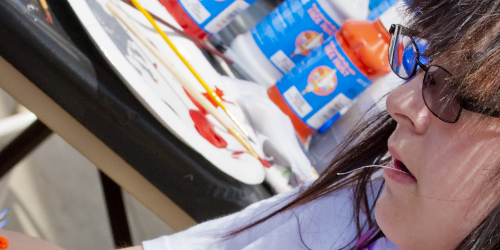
[(210, 92)]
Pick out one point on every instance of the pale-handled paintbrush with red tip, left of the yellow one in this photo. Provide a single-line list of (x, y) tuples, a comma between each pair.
[(204, 102)]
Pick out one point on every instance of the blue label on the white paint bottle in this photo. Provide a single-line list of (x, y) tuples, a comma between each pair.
[(292, 31)]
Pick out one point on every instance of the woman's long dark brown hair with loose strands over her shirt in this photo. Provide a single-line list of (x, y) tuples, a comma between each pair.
[(466, 35)]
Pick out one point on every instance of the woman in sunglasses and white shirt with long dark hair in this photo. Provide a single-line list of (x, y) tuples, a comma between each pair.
[(441, 133)]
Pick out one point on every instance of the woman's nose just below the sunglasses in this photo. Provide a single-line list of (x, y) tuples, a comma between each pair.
[(406, 105)]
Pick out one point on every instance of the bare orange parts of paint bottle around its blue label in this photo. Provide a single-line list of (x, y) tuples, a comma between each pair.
[(366, 44)]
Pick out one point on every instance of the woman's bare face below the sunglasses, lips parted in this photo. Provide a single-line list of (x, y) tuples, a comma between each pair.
[(451, 190)]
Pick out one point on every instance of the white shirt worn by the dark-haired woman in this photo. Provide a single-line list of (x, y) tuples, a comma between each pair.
[(326, 223)]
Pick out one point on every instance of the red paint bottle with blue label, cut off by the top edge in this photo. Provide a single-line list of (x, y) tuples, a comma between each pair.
[(203, 18)]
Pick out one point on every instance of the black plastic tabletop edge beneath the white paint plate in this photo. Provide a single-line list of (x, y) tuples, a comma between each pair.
[(63, 62)]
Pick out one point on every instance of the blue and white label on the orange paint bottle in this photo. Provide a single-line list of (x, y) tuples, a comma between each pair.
[(323, 85)]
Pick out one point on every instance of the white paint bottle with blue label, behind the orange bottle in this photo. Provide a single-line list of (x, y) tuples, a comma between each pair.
[(290, 33)]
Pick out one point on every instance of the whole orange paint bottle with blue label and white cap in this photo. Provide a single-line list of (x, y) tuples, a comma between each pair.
[(324, 84)]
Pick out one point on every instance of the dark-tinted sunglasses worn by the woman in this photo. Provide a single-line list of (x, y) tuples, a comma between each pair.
[(404, 58)]
